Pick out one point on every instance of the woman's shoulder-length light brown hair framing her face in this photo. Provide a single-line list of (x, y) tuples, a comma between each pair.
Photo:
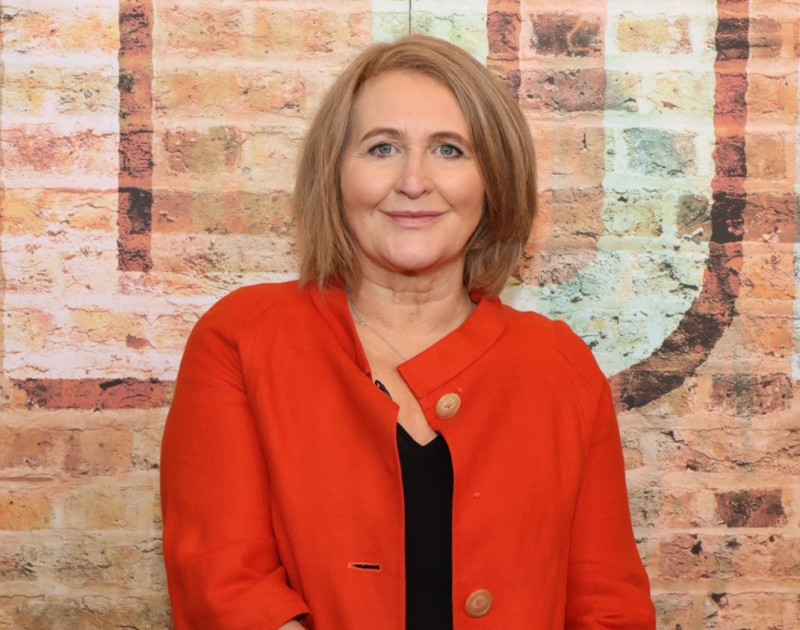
[(503, 151)]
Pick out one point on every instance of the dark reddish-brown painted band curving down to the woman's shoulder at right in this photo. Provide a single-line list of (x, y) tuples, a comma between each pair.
[(713, 310)]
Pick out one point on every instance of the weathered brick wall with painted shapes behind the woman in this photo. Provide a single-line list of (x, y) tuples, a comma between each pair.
[(148, 149)]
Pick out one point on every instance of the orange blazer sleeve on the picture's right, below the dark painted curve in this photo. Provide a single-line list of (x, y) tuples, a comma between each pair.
[(608, 587)]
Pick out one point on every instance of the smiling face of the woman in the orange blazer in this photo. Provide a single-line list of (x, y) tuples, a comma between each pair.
[(411, 187)]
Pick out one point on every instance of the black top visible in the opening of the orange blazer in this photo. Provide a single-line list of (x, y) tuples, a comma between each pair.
[(428, 494)]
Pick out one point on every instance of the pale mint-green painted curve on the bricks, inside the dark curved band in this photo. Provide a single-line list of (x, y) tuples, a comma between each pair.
[(628, 291)]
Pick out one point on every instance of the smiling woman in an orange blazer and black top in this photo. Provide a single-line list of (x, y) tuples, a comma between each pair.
[(383, 444)]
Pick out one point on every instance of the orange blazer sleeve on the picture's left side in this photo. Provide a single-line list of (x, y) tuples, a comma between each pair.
[(223, 568)]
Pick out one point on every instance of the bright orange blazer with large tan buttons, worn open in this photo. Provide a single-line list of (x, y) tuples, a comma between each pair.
[(281, 485)]
